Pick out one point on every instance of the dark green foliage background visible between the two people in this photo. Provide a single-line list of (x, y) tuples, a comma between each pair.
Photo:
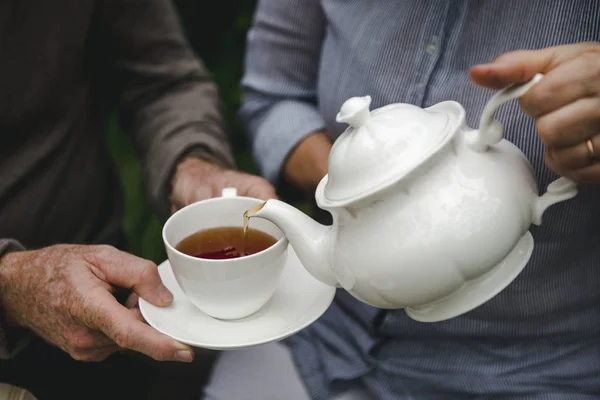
[(218, 37)]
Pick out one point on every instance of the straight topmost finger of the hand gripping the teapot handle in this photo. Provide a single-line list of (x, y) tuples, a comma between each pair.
[(522, 65)]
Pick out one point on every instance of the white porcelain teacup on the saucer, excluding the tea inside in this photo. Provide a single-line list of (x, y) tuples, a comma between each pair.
[(229, 288)]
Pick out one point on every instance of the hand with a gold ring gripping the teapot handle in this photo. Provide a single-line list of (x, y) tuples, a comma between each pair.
[(565, 103)]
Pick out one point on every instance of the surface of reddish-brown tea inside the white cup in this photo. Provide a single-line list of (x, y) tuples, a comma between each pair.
[(225, 243)]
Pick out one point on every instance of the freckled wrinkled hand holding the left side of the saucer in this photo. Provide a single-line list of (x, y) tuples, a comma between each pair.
[(64, 293)]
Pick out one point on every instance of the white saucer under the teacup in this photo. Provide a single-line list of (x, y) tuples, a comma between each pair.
[(299, 301)]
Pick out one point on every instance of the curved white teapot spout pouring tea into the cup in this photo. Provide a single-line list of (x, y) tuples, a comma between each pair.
[(311, 241)]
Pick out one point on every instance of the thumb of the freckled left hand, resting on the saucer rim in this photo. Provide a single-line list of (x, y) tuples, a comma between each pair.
[(122, 269)]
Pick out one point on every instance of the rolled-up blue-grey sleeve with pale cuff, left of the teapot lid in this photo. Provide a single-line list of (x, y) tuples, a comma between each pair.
[(280, 79)]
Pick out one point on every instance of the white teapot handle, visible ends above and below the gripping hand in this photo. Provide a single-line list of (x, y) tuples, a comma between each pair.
[(491, 132)]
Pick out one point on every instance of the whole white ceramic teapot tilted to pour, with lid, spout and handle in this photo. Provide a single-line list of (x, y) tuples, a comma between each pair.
[(429, 215)]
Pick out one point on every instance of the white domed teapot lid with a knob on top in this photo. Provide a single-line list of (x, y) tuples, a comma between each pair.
[(382, 146)]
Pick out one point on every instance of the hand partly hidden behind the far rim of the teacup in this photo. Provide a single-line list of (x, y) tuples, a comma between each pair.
[(196, 180)]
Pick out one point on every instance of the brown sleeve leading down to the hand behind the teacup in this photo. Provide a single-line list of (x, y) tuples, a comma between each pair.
[(168, 100)]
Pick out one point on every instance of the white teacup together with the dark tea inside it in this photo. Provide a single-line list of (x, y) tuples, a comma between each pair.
[(222, 273)]
